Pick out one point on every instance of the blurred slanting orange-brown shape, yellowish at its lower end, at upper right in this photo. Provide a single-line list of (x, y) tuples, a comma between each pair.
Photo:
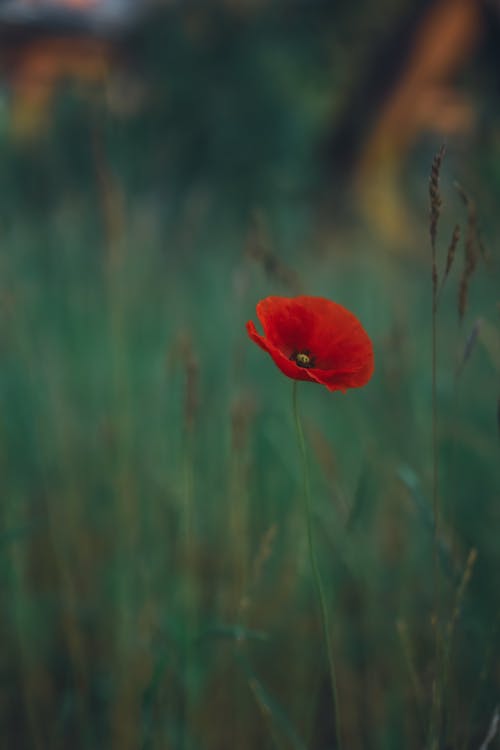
[(424, 99)]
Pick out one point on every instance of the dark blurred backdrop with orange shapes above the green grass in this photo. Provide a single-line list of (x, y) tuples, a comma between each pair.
[(300, 100)]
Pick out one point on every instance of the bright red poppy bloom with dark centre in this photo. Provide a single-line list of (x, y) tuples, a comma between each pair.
[(311, 338)]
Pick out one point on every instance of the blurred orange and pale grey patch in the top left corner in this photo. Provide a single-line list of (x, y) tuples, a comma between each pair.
[(48, 45)]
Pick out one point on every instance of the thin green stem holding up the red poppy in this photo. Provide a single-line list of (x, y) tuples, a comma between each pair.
[(314, 564)]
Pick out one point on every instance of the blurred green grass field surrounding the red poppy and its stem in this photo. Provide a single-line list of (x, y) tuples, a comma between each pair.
[(156, 590)]
